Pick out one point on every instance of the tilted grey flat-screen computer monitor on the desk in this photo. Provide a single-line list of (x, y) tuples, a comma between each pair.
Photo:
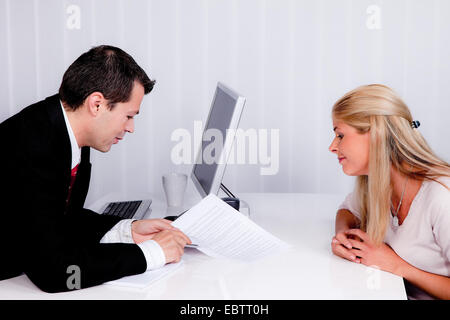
[(223, 119)]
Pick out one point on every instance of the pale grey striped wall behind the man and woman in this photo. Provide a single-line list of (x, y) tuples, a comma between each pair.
[(291, 59)]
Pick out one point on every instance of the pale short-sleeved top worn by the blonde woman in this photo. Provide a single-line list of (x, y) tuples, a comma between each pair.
[(423, 239)]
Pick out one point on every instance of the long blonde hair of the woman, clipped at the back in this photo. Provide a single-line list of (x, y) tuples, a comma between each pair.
[(393, 142)]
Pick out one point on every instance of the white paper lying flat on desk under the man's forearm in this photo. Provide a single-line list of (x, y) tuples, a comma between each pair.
[(147, 278)]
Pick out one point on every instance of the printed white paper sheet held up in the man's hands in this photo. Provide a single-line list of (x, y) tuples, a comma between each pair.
[(221, 231)]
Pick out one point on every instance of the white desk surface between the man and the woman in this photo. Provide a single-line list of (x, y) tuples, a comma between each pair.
[(309, 271)]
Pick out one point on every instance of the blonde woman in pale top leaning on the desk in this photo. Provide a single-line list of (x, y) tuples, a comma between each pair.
[(398, 217)]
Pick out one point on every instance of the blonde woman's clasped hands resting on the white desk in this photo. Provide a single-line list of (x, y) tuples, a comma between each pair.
[(366, 252)]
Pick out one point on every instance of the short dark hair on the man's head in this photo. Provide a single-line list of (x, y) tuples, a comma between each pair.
[(105, 69)]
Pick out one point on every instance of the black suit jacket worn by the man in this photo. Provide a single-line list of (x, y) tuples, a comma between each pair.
[(43, 236)]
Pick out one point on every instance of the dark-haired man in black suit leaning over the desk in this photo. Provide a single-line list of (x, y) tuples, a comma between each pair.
[(47, 234)]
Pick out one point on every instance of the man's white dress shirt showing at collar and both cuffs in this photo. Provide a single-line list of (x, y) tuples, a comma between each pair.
[(121, 232)]
